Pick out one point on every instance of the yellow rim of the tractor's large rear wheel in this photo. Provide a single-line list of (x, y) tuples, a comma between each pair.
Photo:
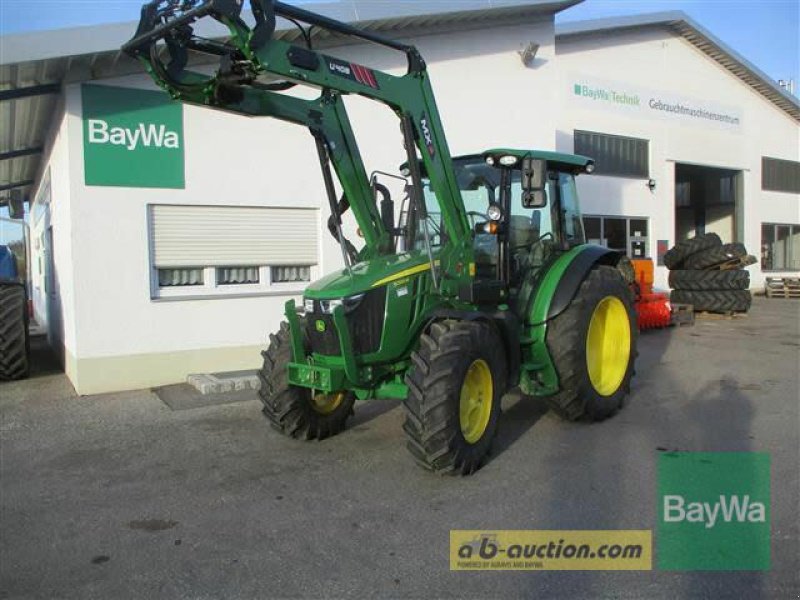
[(608, 345)]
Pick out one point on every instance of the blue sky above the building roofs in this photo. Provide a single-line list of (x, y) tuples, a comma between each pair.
[(766, 32)]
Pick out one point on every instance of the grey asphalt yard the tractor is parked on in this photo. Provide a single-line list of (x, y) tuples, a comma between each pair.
[(120, 496)]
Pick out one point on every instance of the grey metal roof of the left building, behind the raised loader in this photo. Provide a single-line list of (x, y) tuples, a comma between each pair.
[(34, 66)]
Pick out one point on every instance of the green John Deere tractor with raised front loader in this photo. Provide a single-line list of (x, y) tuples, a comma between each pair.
[(479, 282)]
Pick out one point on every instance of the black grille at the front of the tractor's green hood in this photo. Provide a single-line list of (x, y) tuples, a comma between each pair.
[(365, 323)]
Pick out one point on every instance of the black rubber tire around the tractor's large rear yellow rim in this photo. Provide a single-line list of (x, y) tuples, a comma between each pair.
[(567, 341)]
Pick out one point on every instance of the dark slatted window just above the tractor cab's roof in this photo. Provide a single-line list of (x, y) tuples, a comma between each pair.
[(615, 154)]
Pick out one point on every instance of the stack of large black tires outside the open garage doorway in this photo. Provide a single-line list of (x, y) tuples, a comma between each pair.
[(696, 278)]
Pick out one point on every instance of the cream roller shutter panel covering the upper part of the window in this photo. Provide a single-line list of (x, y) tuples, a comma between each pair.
[(221, 236)]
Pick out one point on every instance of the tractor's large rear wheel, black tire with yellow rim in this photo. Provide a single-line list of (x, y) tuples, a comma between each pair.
[(593, 346)]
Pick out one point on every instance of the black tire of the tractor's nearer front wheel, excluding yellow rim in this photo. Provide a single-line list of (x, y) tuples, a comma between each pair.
[(448, 350)]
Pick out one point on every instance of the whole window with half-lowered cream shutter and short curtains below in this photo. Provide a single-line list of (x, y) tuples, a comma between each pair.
[(199, 250)]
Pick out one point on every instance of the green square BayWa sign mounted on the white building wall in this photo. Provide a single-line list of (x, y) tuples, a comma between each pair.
[(132, 138)]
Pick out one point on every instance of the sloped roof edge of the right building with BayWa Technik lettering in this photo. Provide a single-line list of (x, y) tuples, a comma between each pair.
[(681, 24)]
